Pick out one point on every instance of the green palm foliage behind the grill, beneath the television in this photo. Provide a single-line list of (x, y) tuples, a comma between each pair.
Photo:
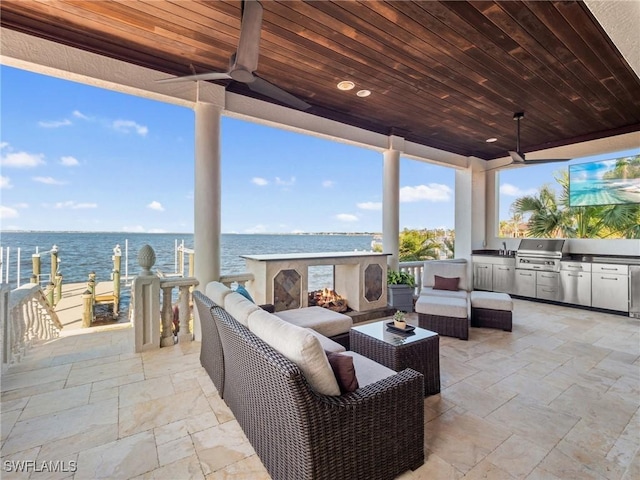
[(549, 215)]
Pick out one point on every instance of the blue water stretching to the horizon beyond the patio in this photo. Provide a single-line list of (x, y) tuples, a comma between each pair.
[(80, 253)]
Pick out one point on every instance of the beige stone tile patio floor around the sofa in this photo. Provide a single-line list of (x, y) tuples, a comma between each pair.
[(558, 397)]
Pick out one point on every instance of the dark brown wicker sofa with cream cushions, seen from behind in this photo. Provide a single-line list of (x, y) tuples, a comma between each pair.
[(297, 430)]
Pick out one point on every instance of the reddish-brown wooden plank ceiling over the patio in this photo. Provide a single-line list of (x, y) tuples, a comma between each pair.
[(447, 74)]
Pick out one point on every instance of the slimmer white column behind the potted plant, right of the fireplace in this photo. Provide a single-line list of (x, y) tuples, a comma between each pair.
[(391, 206)]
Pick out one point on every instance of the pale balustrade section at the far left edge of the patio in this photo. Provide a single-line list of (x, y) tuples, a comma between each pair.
[(27, 317)]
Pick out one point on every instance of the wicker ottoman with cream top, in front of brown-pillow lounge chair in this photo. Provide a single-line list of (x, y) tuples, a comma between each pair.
[(446, 316)]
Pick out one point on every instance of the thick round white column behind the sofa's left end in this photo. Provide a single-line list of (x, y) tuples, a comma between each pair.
[(207, 211)]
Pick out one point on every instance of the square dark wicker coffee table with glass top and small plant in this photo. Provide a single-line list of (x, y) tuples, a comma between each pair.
[(419, 350)]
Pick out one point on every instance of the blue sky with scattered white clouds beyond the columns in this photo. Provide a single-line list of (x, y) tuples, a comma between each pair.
[(75, 157)]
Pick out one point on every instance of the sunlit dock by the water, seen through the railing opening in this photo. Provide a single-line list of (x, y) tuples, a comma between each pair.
[(70, 306)]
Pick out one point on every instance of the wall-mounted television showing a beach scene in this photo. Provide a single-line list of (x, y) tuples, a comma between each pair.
[(605, 182)]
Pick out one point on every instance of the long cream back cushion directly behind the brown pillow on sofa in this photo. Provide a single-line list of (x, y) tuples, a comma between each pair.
[(300, 346)]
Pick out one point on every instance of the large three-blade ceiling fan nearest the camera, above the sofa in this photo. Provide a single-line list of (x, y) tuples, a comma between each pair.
[(244, 62)]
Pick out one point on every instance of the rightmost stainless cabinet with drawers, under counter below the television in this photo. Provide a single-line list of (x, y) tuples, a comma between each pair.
[(610, 286)]
